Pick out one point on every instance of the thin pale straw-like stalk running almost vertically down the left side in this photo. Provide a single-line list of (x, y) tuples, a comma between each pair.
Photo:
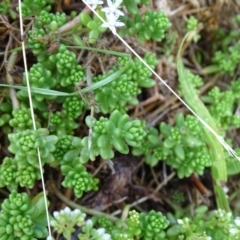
[(32, 114)]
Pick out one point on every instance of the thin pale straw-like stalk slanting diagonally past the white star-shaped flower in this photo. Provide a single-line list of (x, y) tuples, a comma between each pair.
[(219, 138)]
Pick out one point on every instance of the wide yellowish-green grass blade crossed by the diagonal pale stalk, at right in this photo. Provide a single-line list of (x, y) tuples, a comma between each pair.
[(218, 169)]
